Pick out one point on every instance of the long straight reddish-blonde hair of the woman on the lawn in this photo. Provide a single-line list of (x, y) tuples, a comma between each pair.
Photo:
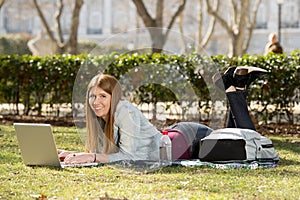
[(95, 133)]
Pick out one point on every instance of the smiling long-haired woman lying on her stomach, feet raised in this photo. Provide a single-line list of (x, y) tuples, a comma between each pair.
[(117, 130)]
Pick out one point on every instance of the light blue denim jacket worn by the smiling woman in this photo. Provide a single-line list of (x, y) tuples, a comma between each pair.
[(136, 137)]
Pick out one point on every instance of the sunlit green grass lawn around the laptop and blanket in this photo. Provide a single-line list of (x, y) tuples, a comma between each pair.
[(21, 182)]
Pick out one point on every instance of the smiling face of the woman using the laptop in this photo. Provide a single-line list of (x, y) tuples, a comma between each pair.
[(99, 101)]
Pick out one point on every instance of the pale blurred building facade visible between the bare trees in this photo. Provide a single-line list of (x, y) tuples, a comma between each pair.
[(102, 19)]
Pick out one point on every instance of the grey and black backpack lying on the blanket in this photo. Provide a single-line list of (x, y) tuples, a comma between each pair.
[(235, 144)]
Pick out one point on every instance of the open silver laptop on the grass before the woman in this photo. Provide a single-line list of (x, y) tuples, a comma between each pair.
[(38, 147)]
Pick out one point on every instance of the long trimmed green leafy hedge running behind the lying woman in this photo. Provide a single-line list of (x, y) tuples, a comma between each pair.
[(33, 80)]
